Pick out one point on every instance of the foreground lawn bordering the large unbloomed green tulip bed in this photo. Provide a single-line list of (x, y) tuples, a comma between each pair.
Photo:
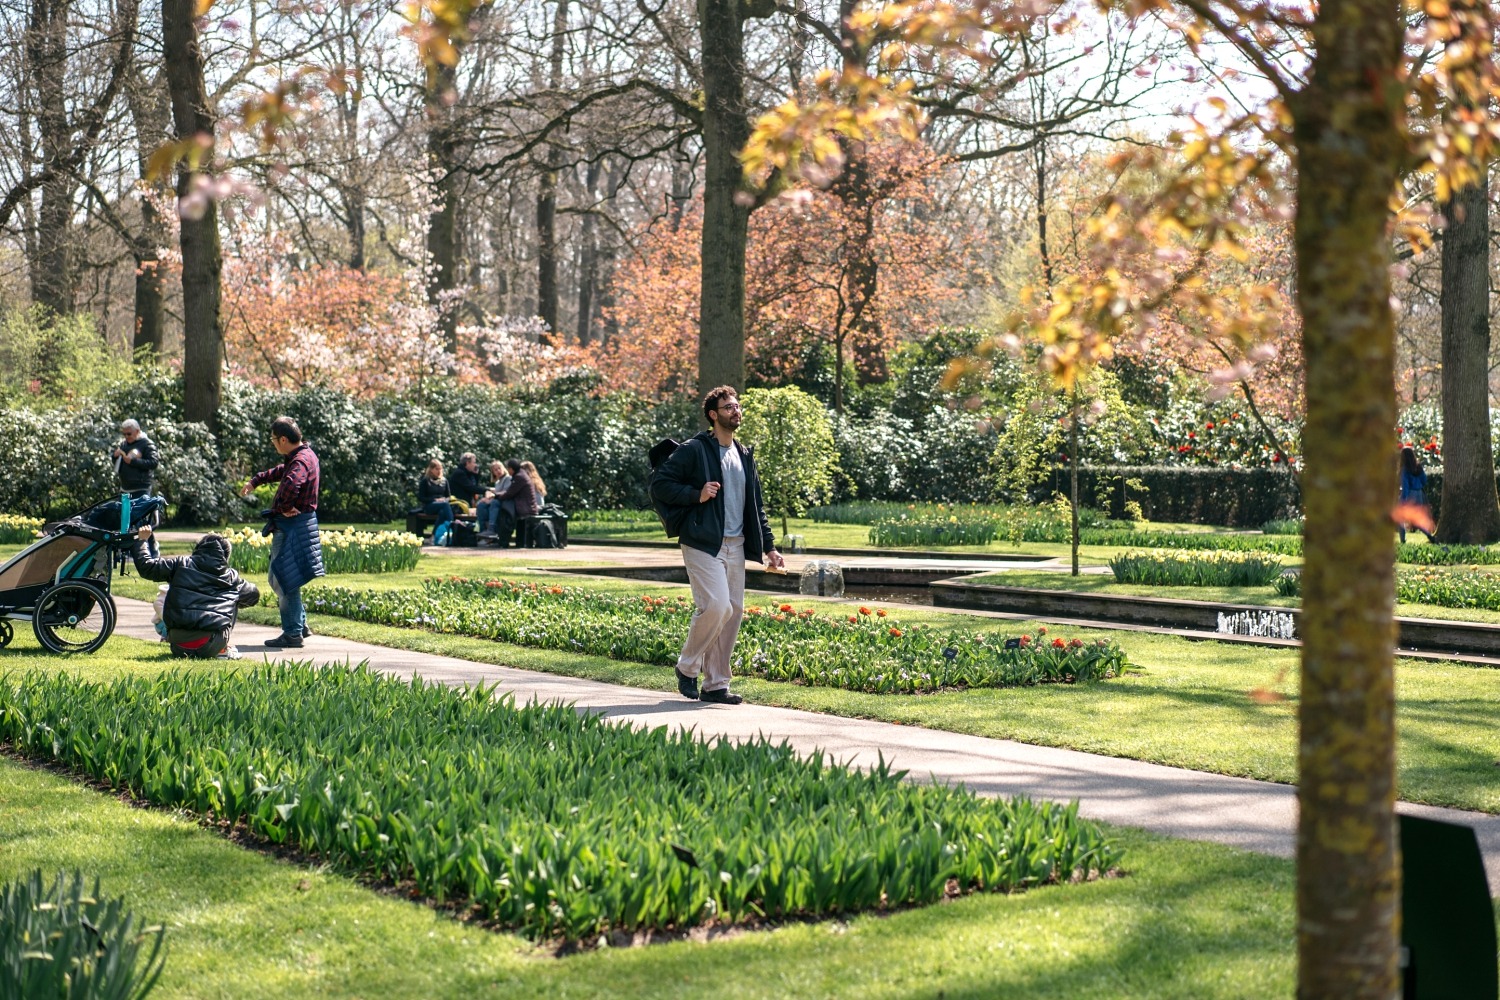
[(1189, 921)]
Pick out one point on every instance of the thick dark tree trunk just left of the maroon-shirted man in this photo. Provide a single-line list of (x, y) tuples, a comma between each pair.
[(203, 331)]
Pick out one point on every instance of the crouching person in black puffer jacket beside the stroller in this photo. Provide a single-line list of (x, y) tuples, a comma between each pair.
[(203, 597)]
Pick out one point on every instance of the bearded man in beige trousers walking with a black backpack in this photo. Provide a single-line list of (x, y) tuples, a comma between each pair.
[(716, 476)]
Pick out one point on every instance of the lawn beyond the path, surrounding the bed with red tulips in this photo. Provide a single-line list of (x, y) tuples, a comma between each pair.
[(1189, 707)]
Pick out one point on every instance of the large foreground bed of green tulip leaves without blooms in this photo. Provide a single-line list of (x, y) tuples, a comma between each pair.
[(539, 819)]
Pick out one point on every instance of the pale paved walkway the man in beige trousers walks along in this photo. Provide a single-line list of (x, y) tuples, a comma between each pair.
[(1258, 816)]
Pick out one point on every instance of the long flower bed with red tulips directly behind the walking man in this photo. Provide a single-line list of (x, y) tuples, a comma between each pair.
[(866, 651)]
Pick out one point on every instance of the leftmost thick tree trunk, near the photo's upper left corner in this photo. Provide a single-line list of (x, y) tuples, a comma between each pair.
[(55, 281)]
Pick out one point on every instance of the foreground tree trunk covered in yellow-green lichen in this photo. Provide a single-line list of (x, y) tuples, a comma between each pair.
[(1351, 146)]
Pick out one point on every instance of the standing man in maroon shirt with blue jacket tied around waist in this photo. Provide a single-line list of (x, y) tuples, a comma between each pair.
[(296, 548)]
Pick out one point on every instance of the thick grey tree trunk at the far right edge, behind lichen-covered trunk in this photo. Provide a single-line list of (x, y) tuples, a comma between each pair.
[(1471, 512)]
